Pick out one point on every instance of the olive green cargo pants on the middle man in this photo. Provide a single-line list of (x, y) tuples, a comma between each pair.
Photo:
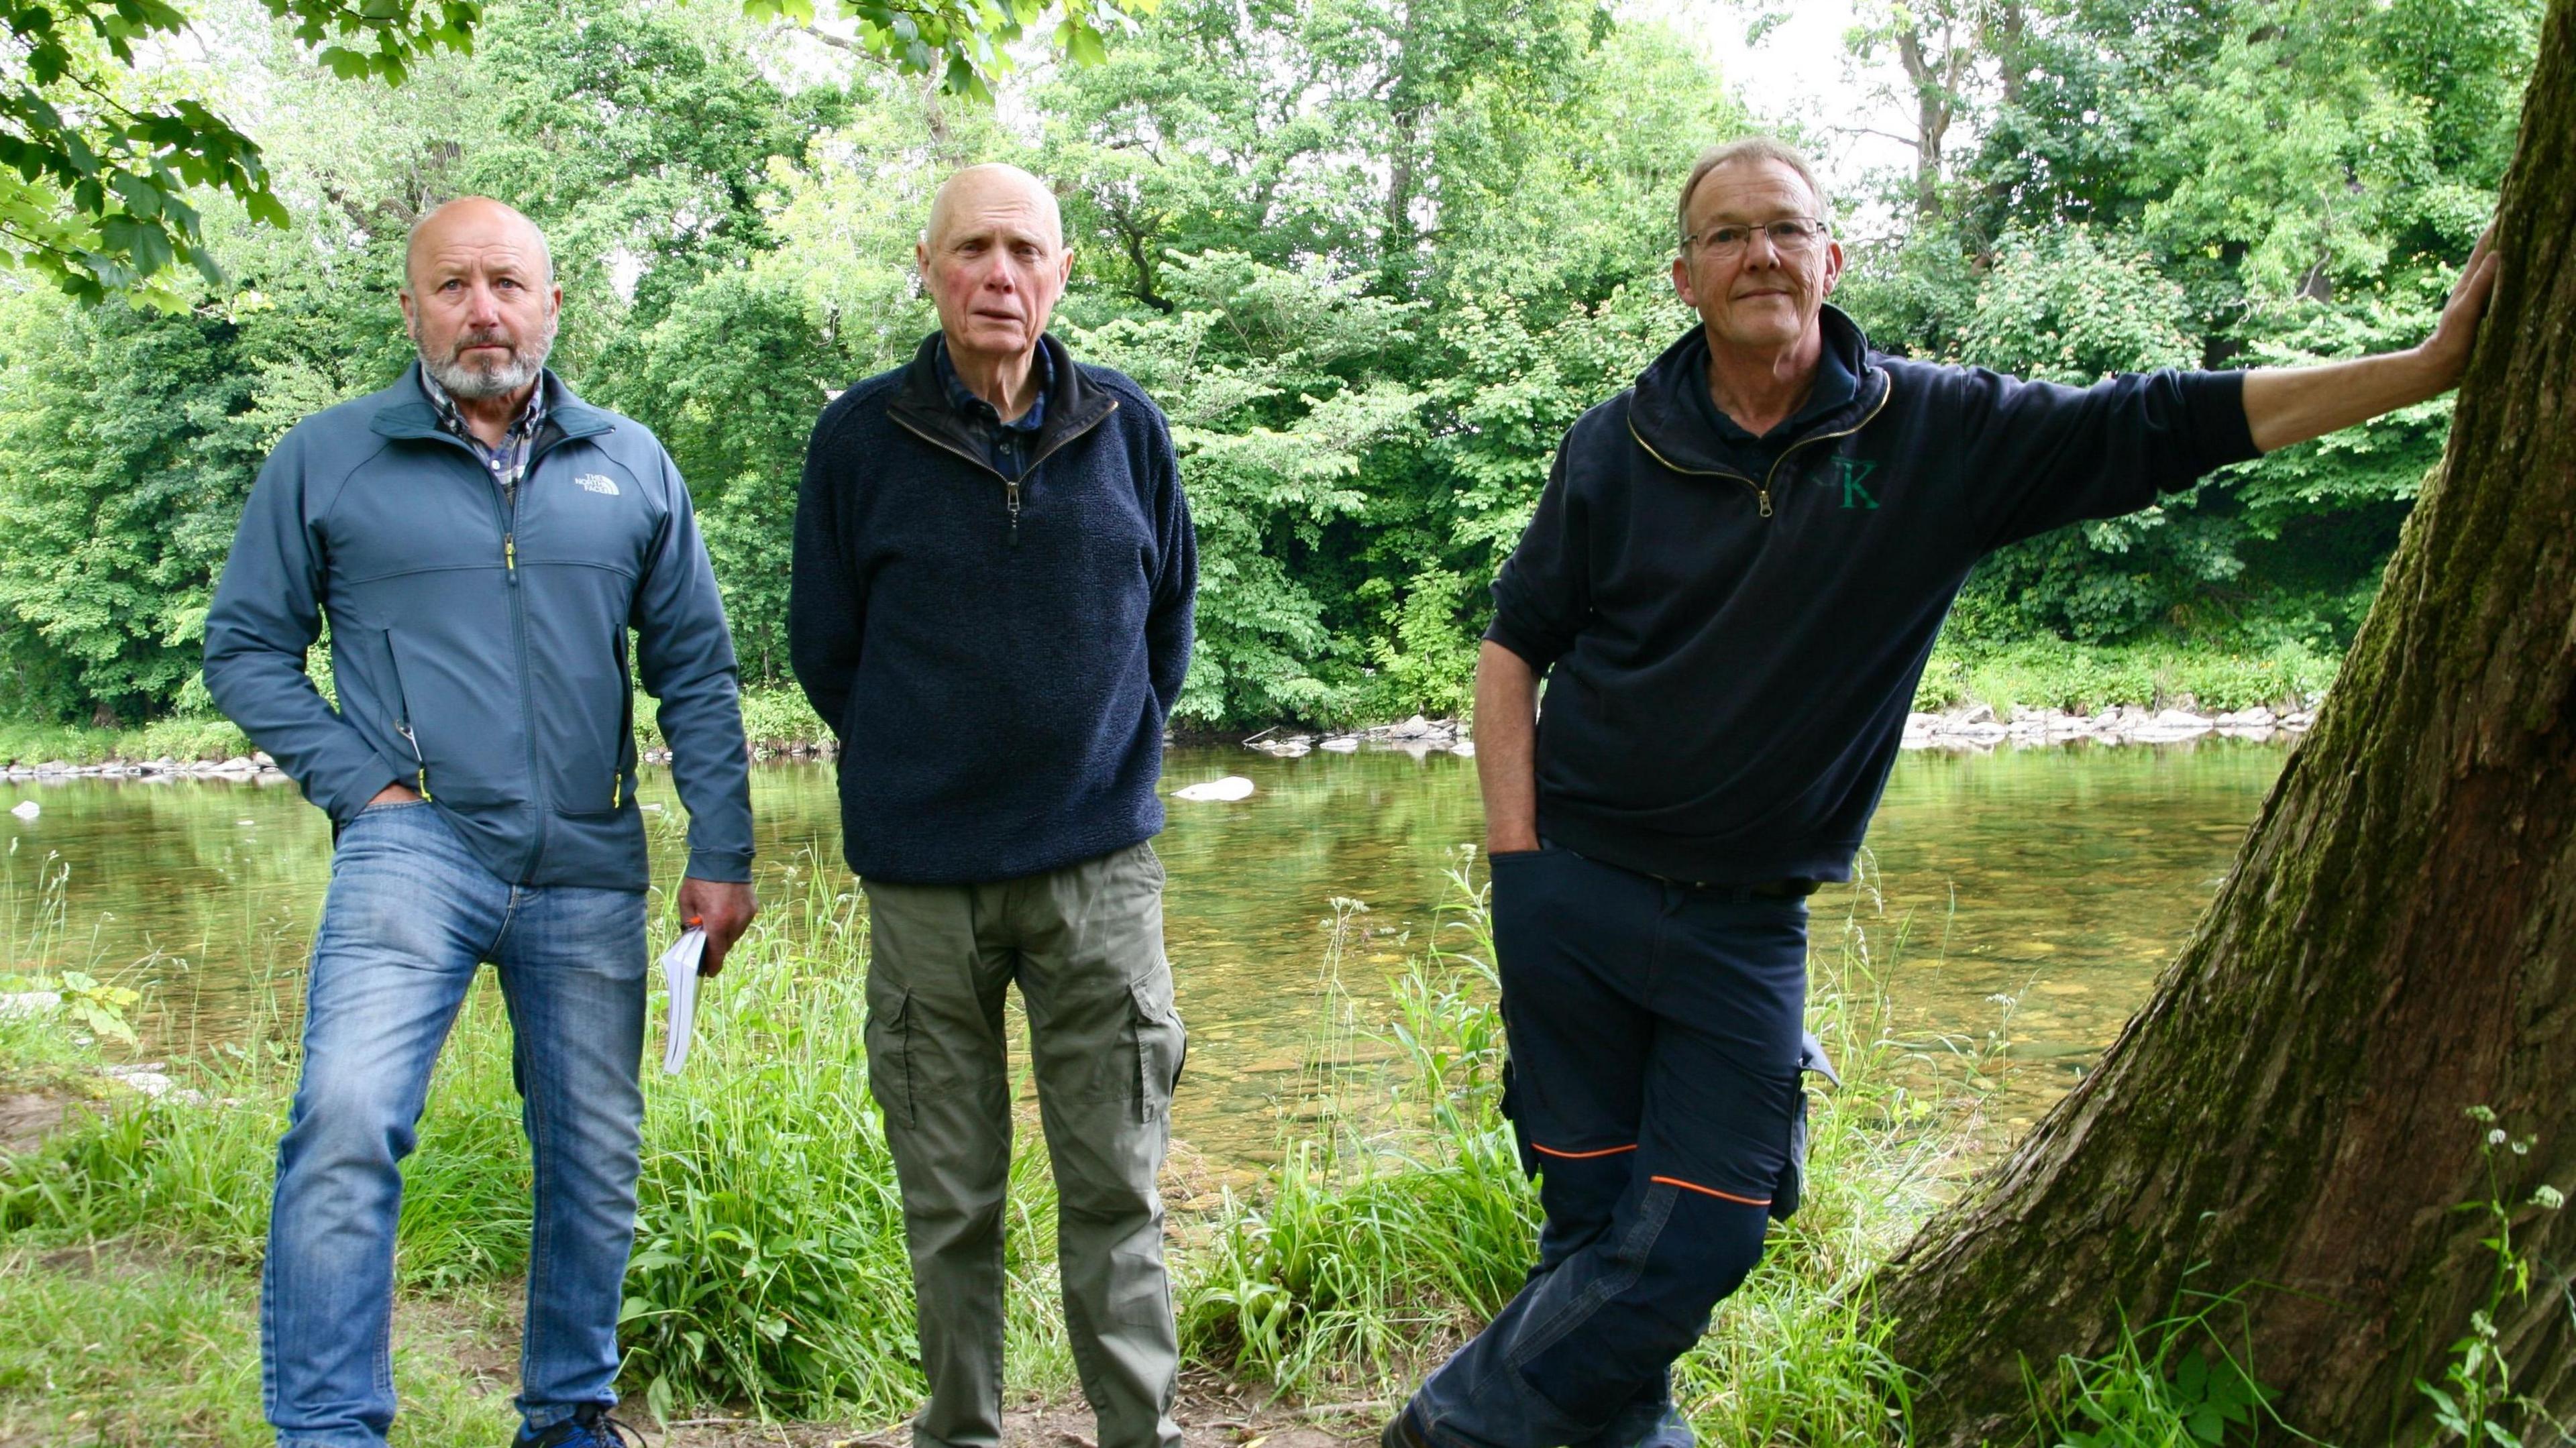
[(1086, 947)]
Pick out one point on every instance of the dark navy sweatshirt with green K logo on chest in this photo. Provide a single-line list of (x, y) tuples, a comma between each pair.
[(1732, 635)]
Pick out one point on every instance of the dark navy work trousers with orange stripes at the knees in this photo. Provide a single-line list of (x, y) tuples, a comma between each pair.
[(1655, 1078)]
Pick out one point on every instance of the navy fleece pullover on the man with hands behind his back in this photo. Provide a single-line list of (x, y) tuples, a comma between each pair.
[(998, 658)]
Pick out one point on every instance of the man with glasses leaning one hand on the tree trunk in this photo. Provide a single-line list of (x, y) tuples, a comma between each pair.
[(1732, 584)]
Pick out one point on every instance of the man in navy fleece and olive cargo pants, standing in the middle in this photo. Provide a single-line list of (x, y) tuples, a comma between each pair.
[(993, 612)]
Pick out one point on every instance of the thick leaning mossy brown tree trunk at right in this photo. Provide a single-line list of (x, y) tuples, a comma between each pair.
[(2394, 947)]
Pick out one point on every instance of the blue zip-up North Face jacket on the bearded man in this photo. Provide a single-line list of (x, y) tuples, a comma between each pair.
[(480, 656)]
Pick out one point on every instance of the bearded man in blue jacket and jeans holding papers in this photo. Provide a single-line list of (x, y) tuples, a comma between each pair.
[(480, 542)]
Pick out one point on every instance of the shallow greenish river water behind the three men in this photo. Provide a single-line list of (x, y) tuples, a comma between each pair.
[(2018, 903)]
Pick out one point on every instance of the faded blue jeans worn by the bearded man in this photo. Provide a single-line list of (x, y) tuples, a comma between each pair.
[(408, 921)]
